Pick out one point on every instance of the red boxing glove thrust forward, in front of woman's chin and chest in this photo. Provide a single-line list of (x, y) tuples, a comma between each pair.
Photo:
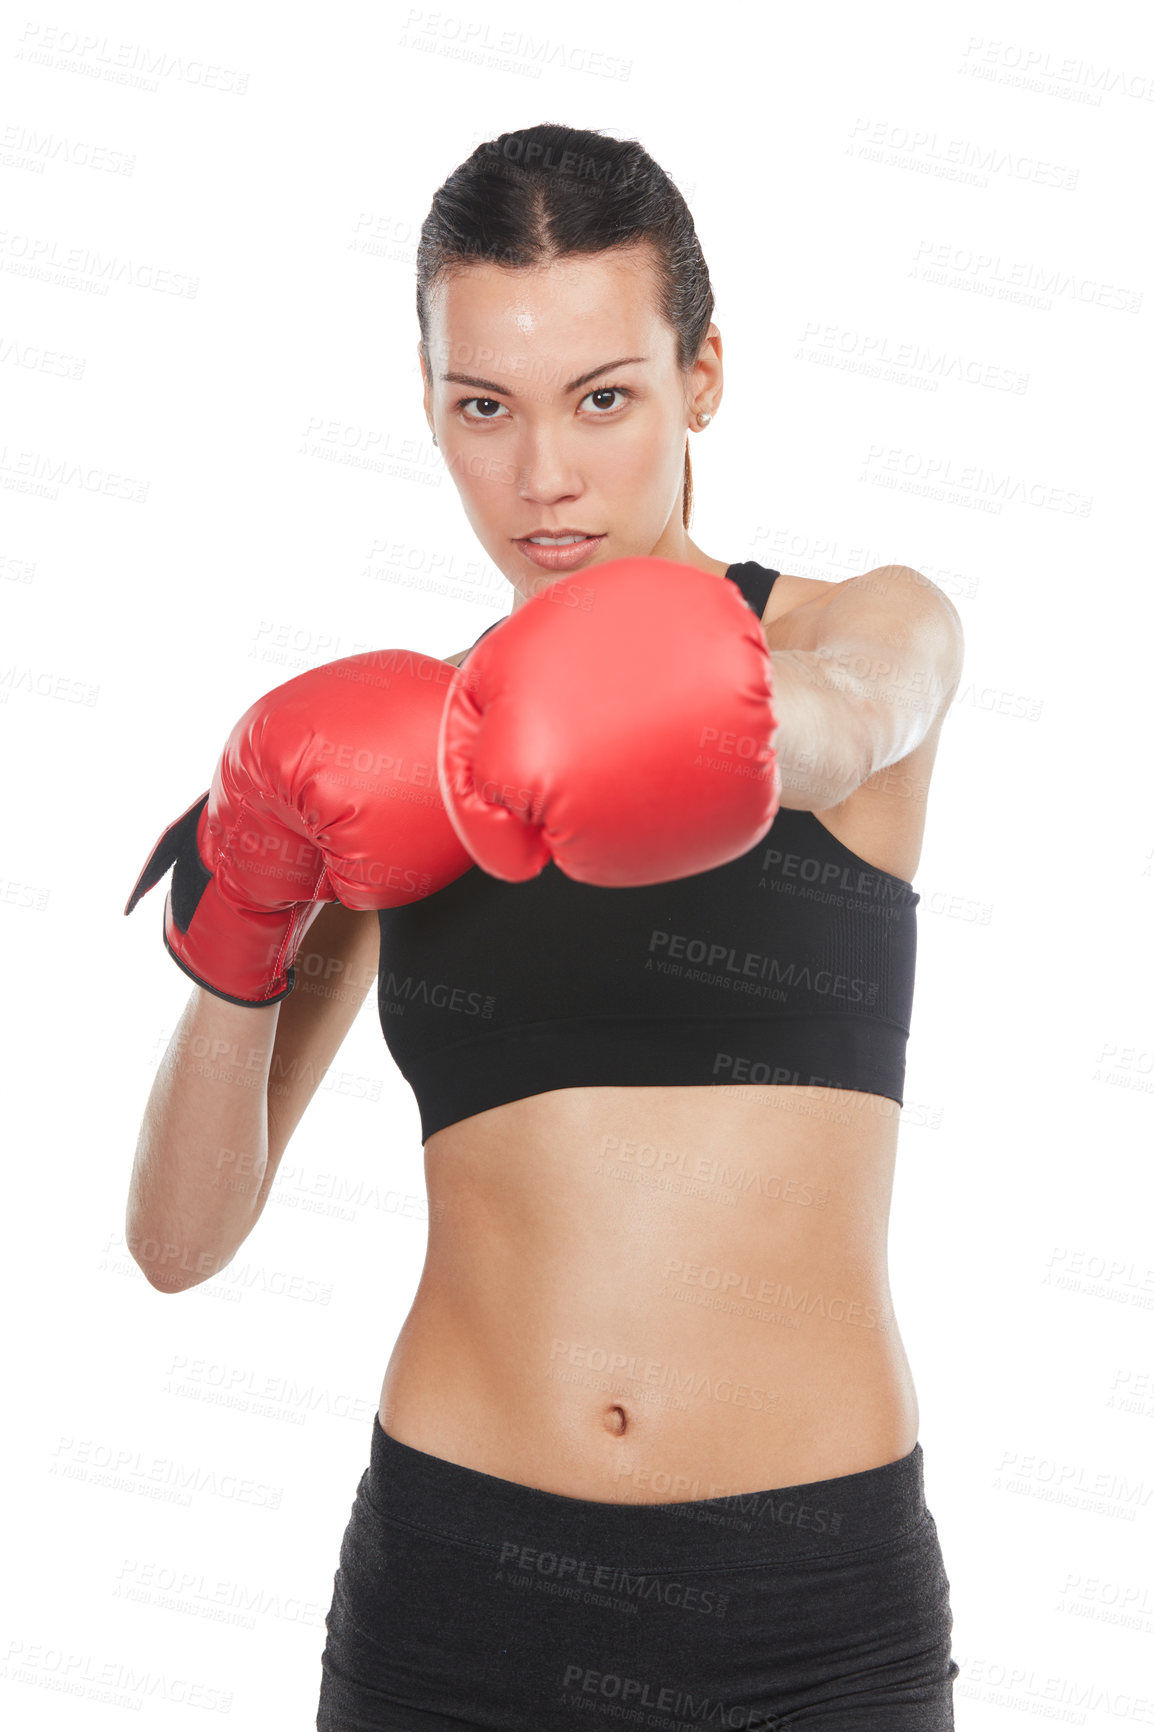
[(628, 737)]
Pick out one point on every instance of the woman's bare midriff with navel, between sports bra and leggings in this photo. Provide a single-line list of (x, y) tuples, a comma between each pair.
[(654, 1295)]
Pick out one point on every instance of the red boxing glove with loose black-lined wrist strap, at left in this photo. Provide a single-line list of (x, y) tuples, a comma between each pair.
[(327, 792)]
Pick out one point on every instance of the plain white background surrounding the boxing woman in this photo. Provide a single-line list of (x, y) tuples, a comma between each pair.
[(904, 210)]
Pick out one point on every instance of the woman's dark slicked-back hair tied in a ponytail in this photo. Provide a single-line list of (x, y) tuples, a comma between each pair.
[(547, 193)]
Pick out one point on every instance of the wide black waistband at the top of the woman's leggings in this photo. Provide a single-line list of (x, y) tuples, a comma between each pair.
[(820, 1518)]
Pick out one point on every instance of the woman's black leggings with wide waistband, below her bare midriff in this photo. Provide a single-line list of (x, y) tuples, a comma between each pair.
[(465, 1601)]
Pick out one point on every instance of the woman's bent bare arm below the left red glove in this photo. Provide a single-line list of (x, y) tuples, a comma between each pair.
[(230, 1094)]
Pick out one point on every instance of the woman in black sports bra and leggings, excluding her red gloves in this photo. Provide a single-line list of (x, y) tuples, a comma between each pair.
[(647, 1444)]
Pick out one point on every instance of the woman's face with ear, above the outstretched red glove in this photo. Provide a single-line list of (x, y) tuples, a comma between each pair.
[(559, 408)]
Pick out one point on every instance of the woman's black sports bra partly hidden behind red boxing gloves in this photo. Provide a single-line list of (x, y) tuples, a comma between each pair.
[(791, 966)]
